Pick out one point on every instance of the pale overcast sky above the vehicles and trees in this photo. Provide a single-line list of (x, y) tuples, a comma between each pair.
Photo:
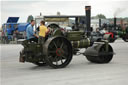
[(22, 9)]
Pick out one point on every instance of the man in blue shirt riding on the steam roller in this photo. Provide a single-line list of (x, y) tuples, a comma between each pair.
[(31, 36)]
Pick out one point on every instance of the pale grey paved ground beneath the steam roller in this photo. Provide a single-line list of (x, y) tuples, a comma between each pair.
[(79, 72)]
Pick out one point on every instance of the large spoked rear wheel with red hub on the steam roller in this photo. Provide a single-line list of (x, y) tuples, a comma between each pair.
[(58, 51)]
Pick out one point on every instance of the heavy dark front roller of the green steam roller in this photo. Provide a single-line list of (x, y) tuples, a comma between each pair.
[(99, 53)]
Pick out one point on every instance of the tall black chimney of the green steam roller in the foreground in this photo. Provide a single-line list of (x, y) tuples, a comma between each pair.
[(88, 19)]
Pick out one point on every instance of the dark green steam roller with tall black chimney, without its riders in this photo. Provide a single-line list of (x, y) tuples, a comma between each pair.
[(60, 46)]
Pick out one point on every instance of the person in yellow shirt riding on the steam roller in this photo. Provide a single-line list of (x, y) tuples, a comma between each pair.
[(42, 32)]
